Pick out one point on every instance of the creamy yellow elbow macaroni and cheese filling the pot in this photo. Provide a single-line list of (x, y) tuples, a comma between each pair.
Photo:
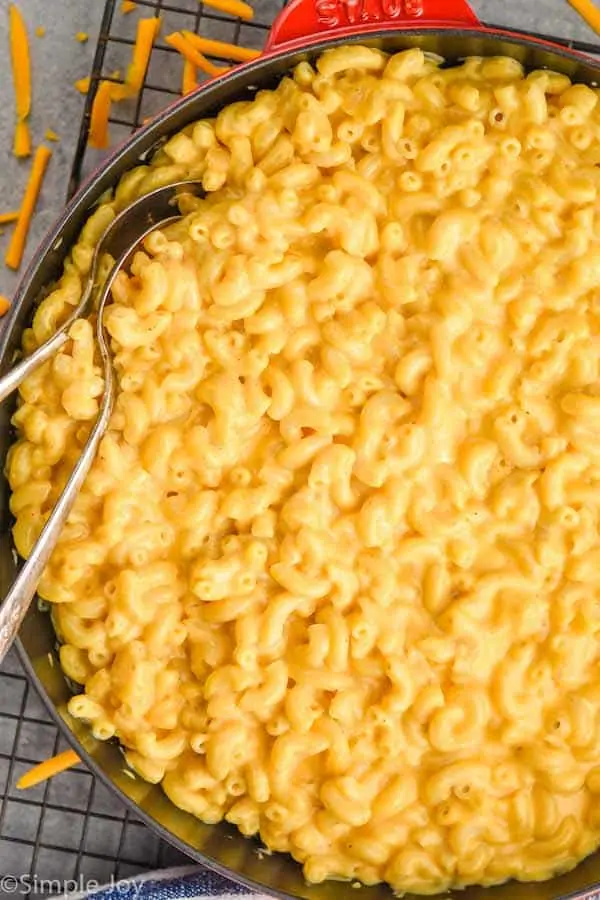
[(335, 575)]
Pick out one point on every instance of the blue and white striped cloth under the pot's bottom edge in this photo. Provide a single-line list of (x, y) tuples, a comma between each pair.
[(186, 883)]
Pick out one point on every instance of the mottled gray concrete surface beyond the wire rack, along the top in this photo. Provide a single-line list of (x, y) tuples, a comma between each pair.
[(58, 60)]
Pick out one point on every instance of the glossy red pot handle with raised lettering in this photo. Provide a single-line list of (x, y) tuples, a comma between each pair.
[(303, 21)]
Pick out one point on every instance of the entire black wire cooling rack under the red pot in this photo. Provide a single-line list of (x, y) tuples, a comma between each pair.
[(71, 830)]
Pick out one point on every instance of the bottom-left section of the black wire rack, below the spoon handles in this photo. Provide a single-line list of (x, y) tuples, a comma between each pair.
[(70, 831)]
